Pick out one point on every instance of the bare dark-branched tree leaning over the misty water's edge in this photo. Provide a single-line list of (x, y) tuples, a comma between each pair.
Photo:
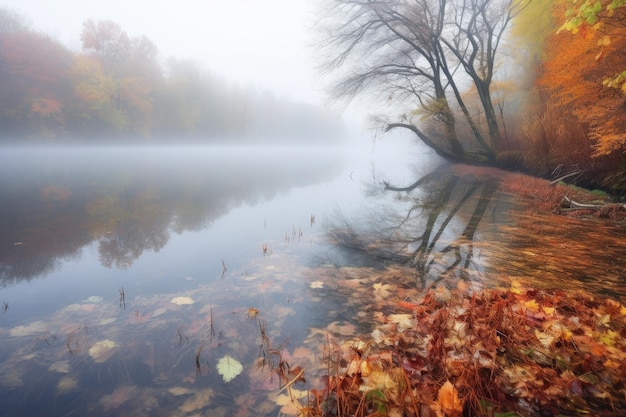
[(428, 51)]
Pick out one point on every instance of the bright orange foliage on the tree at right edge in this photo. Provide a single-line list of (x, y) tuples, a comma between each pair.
[(573, 76)]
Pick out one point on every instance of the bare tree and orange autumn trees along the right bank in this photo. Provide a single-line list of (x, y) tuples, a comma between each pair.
[(533, 85)]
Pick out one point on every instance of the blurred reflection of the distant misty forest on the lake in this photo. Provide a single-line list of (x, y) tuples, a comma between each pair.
[(130, 200)]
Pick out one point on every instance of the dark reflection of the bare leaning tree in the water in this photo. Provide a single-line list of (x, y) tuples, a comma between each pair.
[(430, 226)]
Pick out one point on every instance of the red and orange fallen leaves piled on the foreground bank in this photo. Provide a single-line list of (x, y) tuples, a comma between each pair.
[(509, 350)]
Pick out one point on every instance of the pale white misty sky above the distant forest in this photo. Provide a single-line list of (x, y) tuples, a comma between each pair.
[(259, 42)]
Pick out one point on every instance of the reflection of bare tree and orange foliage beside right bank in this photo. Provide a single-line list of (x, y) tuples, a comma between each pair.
[(452, 224)]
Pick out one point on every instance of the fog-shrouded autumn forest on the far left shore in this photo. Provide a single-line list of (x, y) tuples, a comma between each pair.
[(116, 88)]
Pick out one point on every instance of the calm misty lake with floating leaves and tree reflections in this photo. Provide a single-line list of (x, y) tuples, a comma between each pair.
[(181, 281)]
